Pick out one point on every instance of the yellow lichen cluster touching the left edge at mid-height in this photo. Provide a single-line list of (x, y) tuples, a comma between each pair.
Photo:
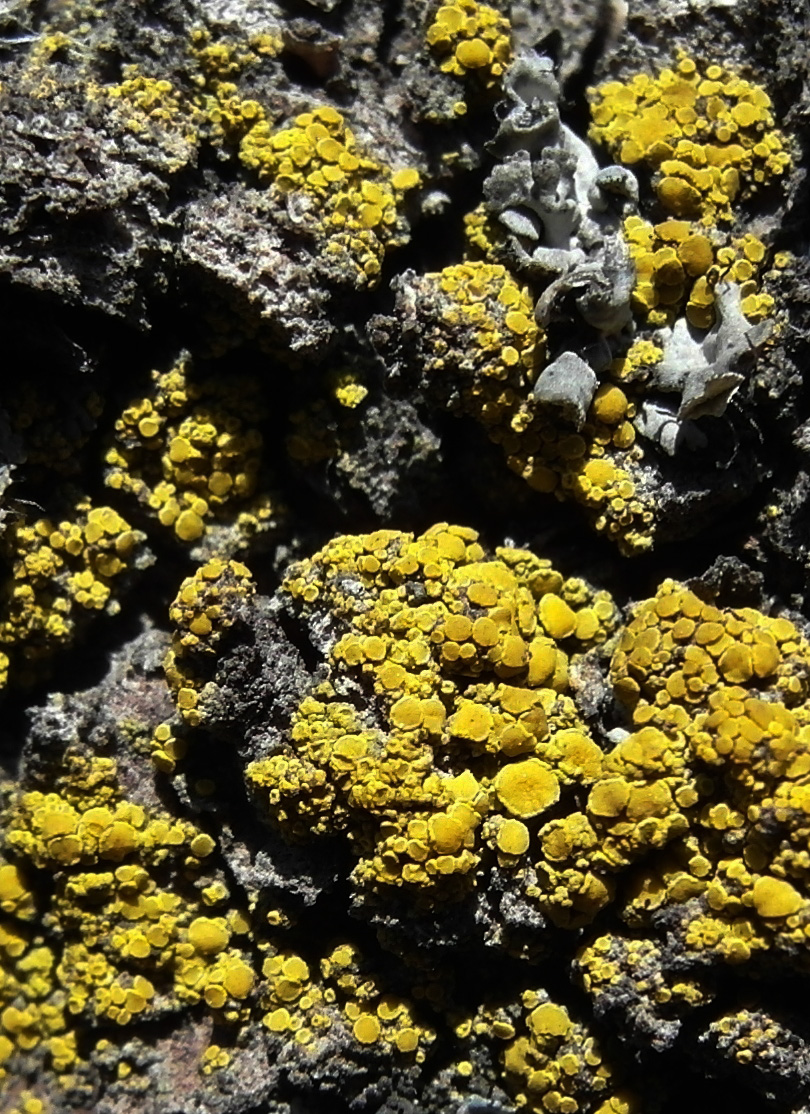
[(62, 572)]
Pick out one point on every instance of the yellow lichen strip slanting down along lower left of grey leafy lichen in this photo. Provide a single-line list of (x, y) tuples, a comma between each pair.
[(483, 357)]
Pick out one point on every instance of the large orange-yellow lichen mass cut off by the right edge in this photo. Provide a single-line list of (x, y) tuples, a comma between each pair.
[(720, 697)]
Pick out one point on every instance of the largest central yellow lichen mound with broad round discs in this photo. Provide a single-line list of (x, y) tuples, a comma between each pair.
[(469, 659)]
